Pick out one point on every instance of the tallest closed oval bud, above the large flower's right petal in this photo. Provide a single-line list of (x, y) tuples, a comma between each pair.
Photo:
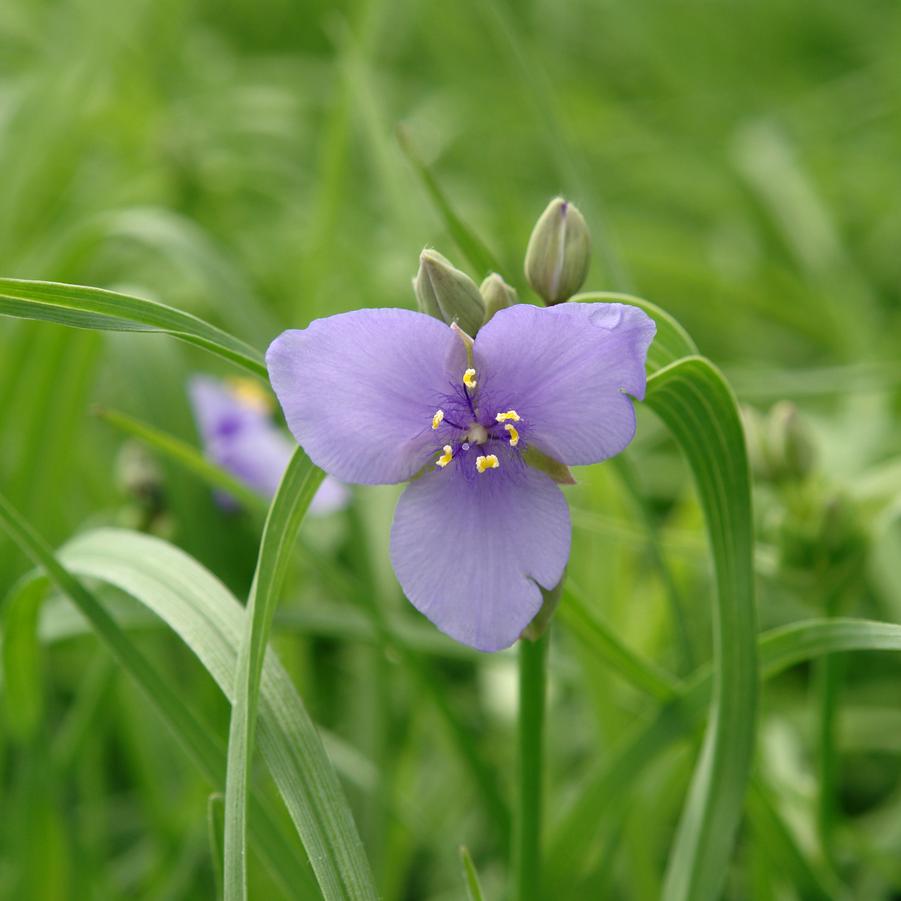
[(559, 252)]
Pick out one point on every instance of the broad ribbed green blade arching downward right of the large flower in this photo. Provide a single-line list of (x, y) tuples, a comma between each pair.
[(698, 407)]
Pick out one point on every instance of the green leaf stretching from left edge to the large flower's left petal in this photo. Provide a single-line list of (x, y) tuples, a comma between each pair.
[(95, 308)]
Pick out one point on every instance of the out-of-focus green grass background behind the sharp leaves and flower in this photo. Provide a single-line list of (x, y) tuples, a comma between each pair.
[(738, 164)]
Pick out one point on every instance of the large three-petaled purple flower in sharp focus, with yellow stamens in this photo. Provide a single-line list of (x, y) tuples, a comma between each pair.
[(378, 396)]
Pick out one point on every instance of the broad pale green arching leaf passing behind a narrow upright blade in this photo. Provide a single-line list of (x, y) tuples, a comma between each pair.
[(212, 622)]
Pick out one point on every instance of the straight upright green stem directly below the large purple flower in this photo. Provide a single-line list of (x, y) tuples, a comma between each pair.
[(530, 769)]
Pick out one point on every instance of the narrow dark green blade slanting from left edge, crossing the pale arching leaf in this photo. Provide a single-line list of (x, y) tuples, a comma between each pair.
[(195, 736)]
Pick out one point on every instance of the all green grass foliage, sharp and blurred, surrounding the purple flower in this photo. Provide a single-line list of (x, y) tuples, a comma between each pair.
[(722, 673)]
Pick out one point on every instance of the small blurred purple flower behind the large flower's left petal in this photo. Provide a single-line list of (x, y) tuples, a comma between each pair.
[(238, 434)]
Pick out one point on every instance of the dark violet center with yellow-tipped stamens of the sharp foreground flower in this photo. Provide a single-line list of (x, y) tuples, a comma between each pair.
[(493, 435)]
